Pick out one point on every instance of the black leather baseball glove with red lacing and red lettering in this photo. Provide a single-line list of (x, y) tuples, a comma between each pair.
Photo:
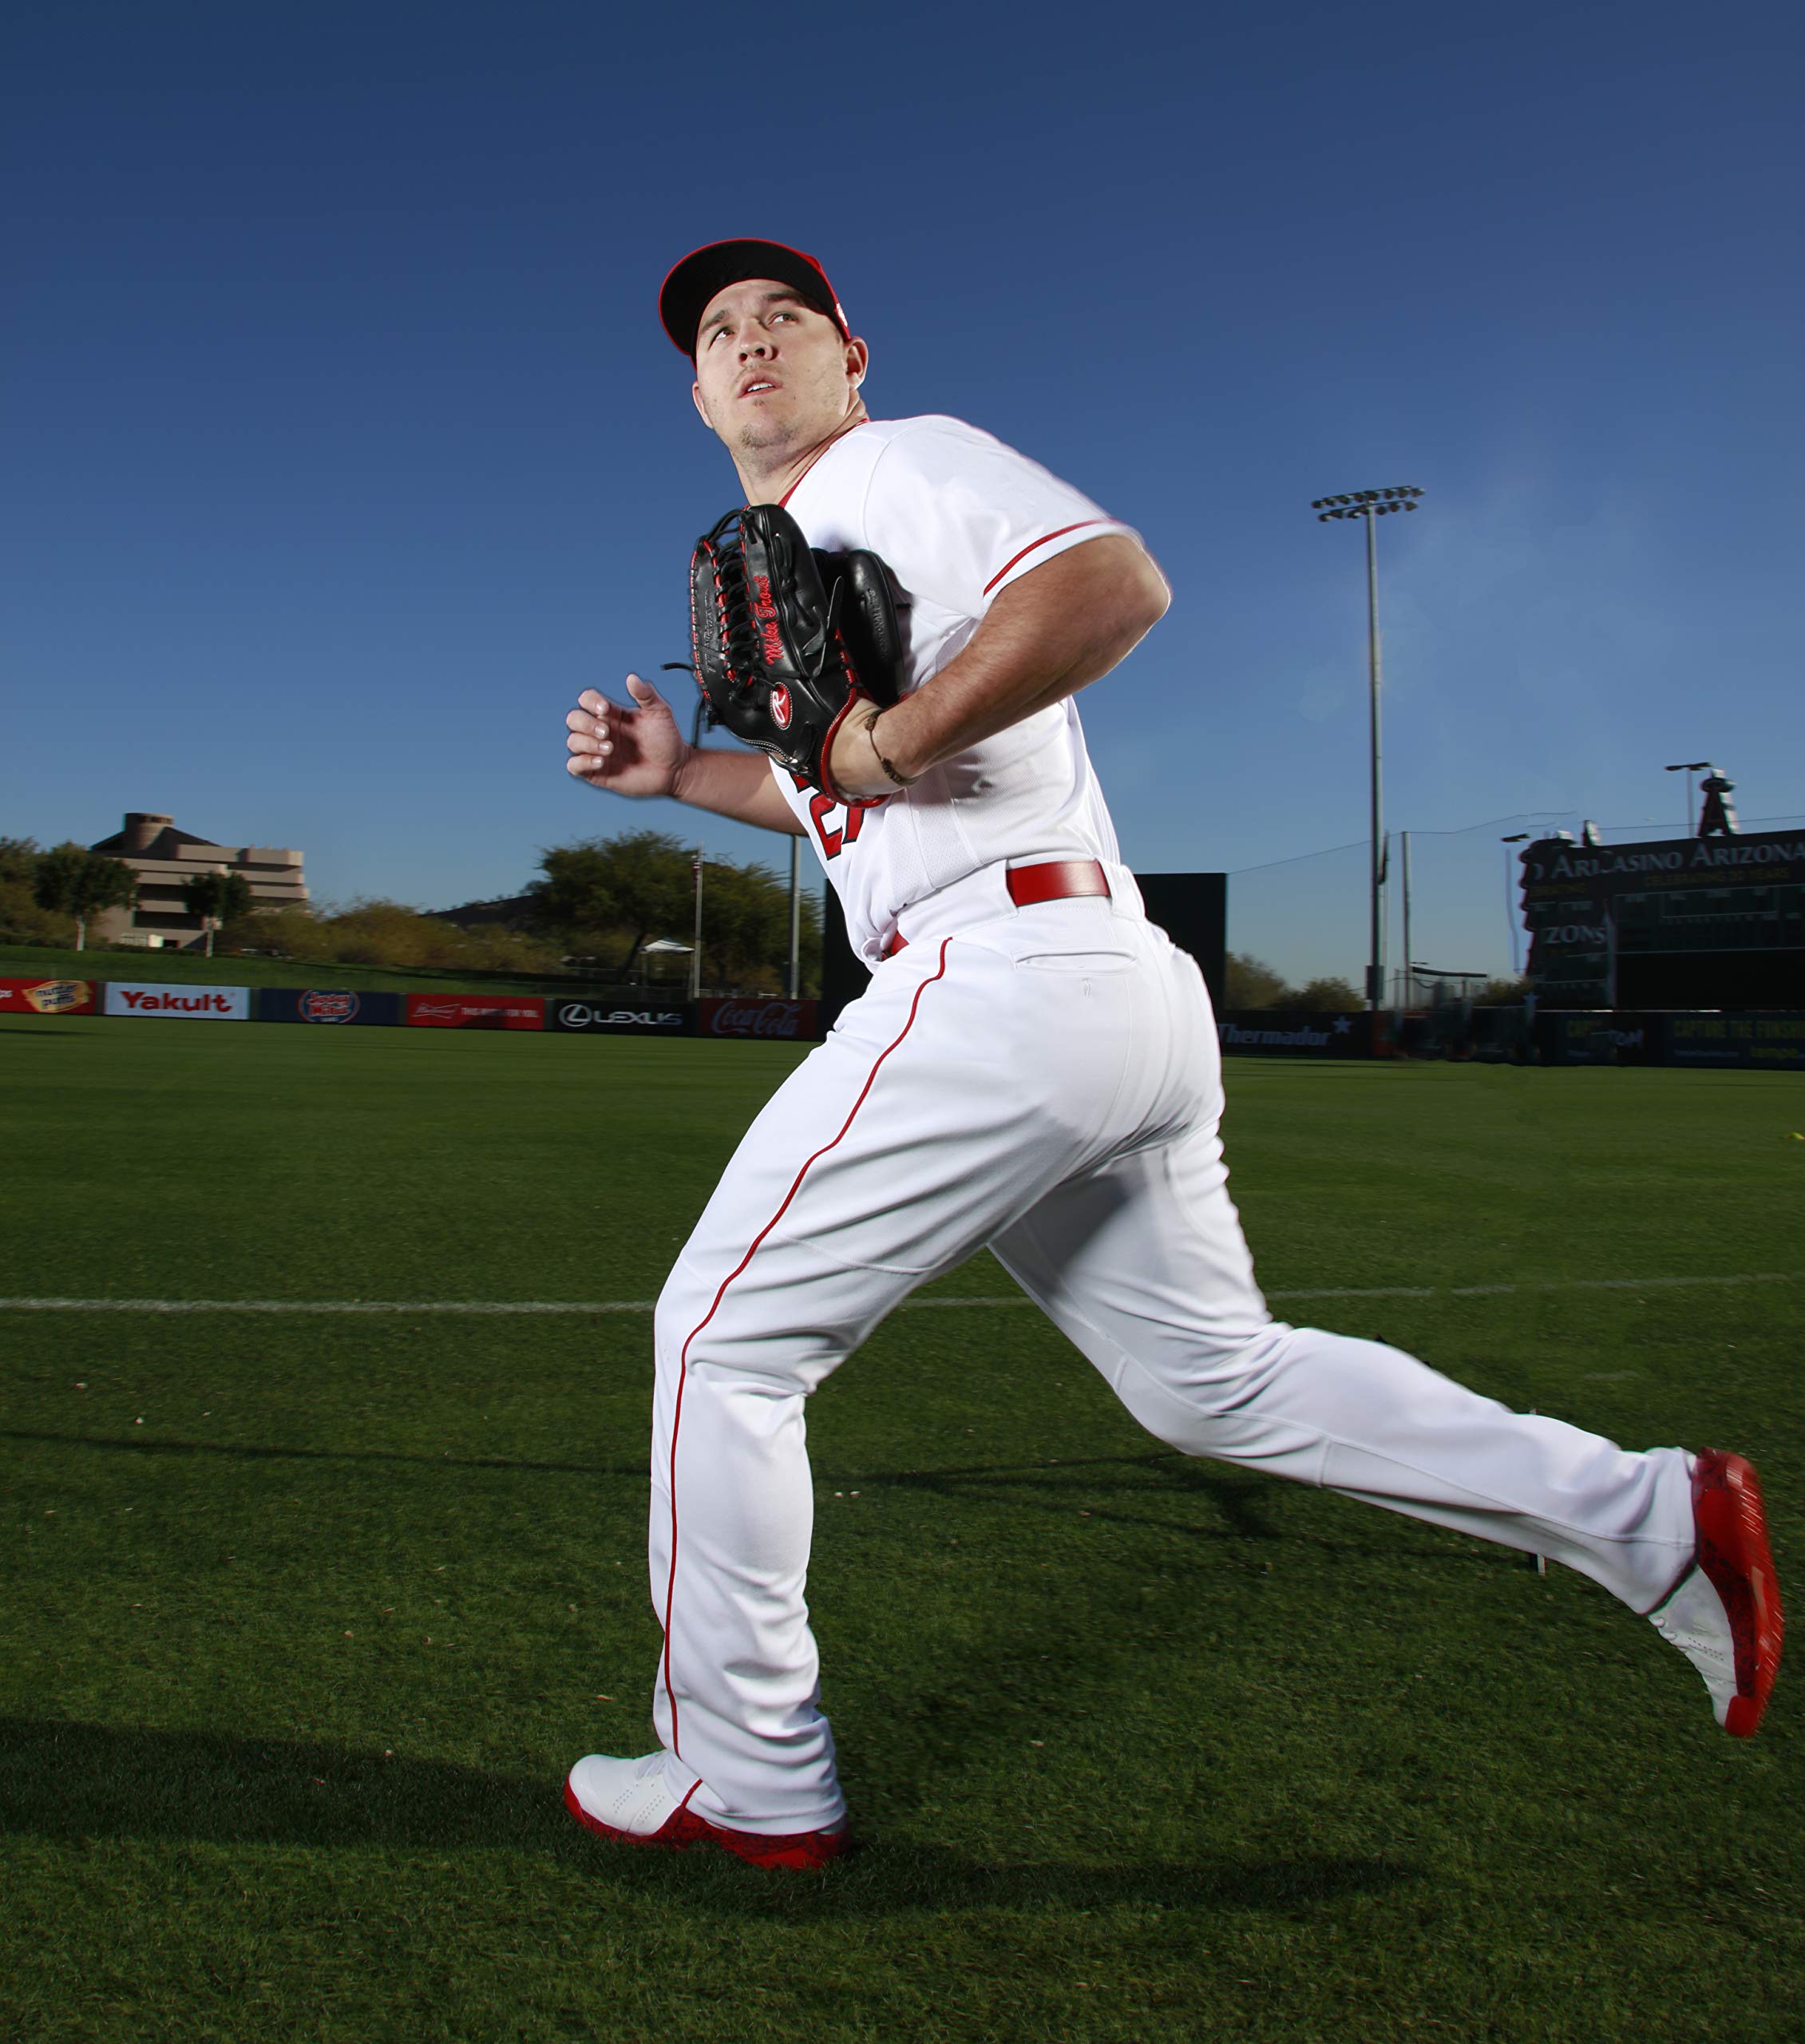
[(790, 639)]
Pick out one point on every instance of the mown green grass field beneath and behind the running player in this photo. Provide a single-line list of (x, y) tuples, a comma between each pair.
[(308, 1614)]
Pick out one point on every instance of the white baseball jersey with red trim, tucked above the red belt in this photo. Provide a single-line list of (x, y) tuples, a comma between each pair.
[(956, 516)]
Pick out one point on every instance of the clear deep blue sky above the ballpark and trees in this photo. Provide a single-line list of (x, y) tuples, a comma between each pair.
[(344, 449)]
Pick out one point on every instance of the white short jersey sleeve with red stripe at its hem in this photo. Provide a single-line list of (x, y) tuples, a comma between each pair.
[(958, 516)]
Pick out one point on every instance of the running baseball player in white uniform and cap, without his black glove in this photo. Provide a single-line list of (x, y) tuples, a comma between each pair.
[(1035, 1070)]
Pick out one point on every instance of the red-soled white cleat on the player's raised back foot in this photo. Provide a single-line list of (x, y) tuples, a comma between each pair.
[(1726, 1612)]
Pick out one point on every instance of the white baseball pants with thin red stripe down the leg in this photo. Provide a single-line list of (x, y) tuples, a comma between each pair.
[(1048, 1082)]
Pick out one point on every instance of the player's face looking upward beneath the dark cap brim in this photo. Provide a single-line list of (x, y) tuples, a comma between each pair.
[(774, 373)]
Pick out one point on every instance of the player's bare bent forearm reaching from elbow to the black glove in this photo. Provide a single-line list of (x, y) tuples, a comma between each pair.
[(1048, 637)]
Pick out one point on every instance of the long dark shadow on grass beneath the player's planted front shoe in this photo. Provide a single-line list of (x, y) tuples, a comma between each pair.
[(75, 1781)]
